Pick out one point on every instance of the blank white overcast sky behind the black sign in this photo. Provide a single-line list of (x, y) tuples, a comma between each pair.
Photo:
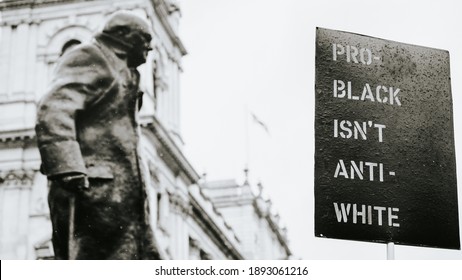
[(259, 54)]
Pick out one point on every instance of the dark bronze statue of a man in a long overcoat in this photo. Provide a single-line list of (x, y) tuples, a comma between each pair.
[(87, 134)]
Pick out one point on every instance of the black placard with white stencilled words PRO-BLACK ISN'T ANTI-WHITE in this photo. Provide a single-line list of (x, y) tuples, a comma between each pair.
[(384, 163)]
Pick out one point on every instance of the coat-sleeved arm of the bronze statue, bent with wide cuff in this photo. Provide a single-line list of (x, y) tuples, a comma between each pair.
[(80, 77)]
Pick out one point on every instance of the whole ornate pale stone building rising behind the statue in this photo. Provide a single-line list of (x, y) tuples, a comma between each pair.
[(186, 222)]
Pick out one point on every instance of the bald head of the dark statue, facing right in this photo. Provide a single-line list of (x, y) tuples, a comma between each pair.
[(133, 32)]
